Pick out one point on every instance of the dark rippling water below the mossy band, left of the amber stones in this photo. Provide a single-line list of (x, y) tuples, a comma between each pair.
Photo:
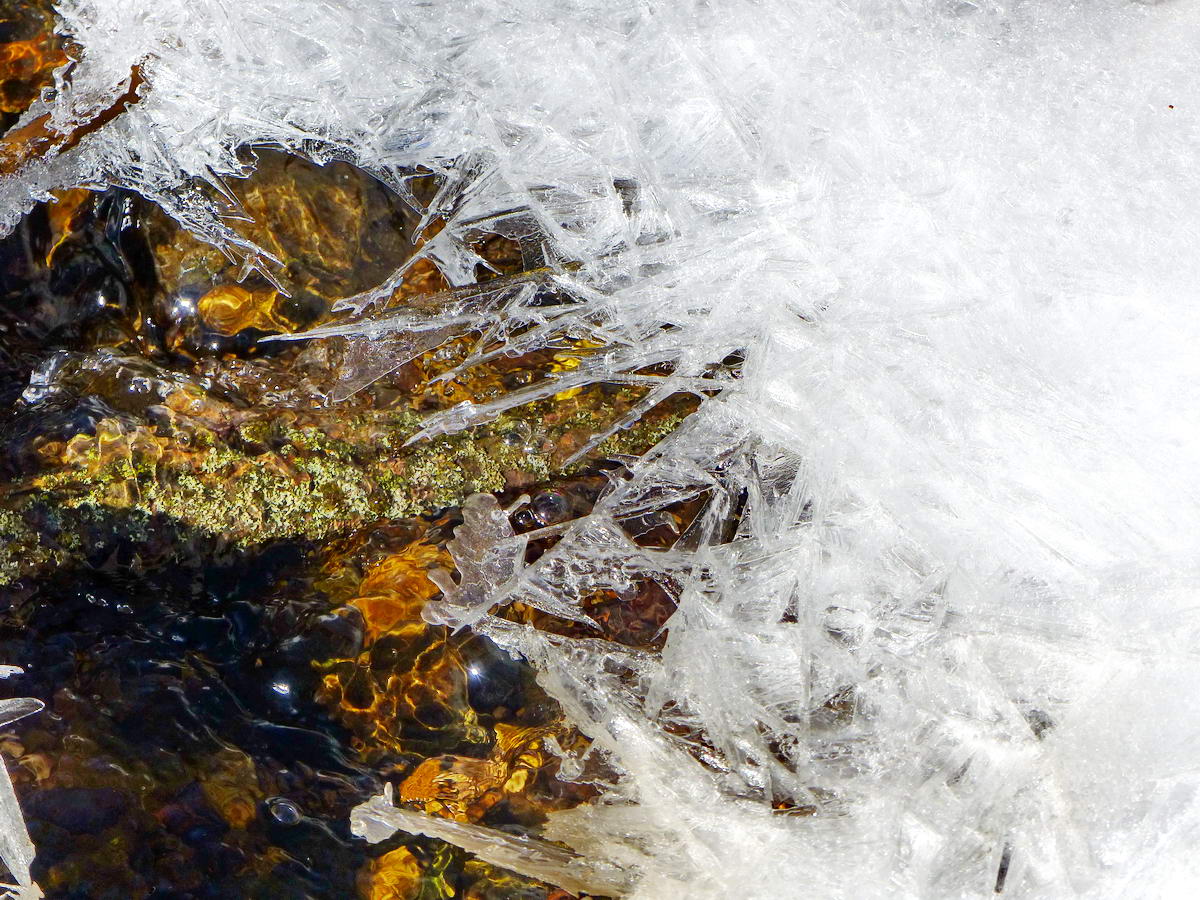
[(181, 713)]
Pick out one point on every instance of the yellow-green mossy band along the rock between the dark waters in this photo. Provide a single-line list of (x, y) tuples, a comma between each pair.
[(311, 487)]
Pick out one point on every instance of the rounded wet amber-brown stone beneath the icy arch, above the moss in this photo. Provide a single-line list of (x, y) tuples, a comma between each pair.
[(325, 232)]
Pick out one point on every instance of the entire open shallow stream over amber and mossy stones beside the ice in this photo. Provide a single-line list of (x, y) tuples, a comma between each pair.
[(226, 673)]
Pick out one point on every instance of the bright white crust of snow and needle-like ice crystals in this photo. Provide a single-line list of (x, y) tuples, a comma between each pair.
[(956, 243)]
